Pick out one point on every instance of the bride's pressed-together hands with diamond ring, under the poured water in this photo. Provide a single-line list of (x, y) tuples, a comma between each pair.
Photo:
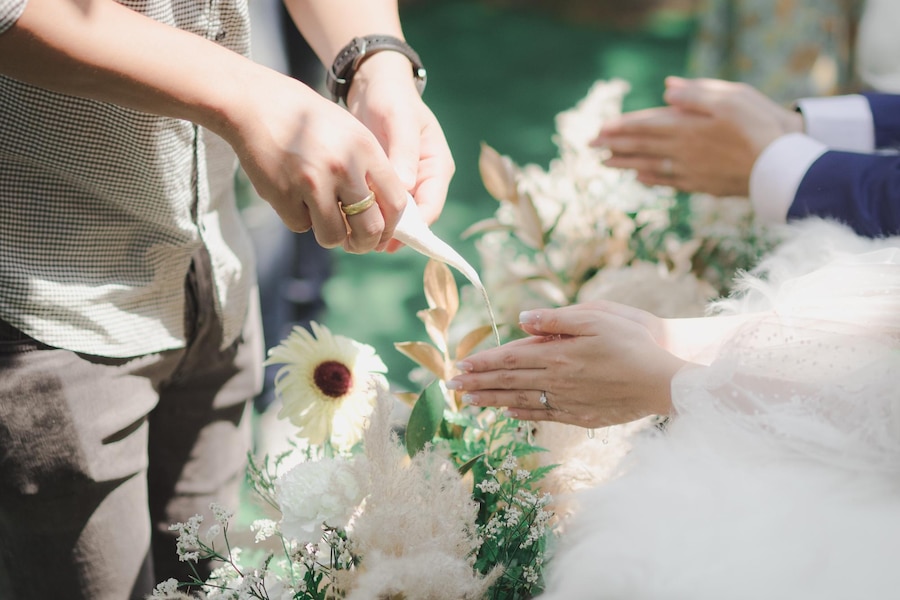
[(597, 364)]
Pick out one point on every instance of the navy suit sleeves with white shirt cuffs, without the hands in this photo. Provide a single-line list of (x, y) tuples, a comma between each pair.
[(797, 176)]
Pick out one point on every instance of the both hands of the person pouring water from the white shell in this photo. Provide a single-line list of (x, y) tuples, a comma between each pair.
[(308, 157)]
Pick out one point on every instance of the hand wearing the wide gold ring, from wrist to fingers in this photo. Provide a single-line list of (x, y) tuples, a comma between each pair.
[(305, 155)]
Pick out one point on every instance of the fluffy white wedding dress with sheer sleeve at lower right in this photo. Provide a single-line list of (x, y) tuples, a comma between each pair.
[(779, 478)]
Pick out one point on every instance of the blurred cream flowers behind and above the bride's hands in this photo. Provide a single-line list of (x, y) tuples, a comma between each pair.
[(579, 231)]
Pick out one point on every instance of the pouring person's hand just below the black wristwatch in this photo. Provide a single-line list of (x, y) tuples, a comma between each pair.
[(384, 98)]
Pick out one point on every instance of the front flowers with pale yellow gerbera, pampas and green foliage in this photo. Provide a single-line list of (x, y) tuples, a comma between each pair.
[(441, 503)]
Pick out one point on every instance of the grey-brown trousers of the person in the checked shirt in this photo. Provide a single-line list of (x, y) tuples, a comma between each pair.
[(98, 456)]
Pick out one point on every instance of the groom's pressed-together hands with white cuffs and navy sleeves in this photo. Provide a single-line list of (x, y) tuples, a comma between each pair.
[(728, 139)]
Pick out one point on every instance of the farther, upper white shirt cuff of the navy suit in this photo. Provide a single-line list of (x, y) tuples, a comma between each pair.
[(840, 122)]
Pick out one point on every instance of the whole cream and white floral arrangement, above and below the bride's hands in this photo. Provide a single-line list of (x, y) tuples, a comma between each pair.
[(394, 496)]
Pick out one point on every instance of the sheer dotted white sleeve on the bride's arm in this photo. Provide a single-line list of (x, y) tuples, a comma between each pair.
[(819, 374)]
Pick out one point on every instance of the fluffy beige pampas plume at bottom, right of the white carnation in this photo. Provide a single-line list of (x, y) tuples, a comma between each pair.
[(417, 532)]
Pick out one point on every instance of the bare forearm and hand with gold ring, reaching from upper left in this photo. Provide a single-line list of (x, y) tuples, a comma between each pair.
[(301, 151)]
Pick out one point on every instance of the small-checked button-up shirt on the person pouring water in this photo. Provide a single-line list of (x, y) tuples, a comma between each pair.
[(102, 207)]
